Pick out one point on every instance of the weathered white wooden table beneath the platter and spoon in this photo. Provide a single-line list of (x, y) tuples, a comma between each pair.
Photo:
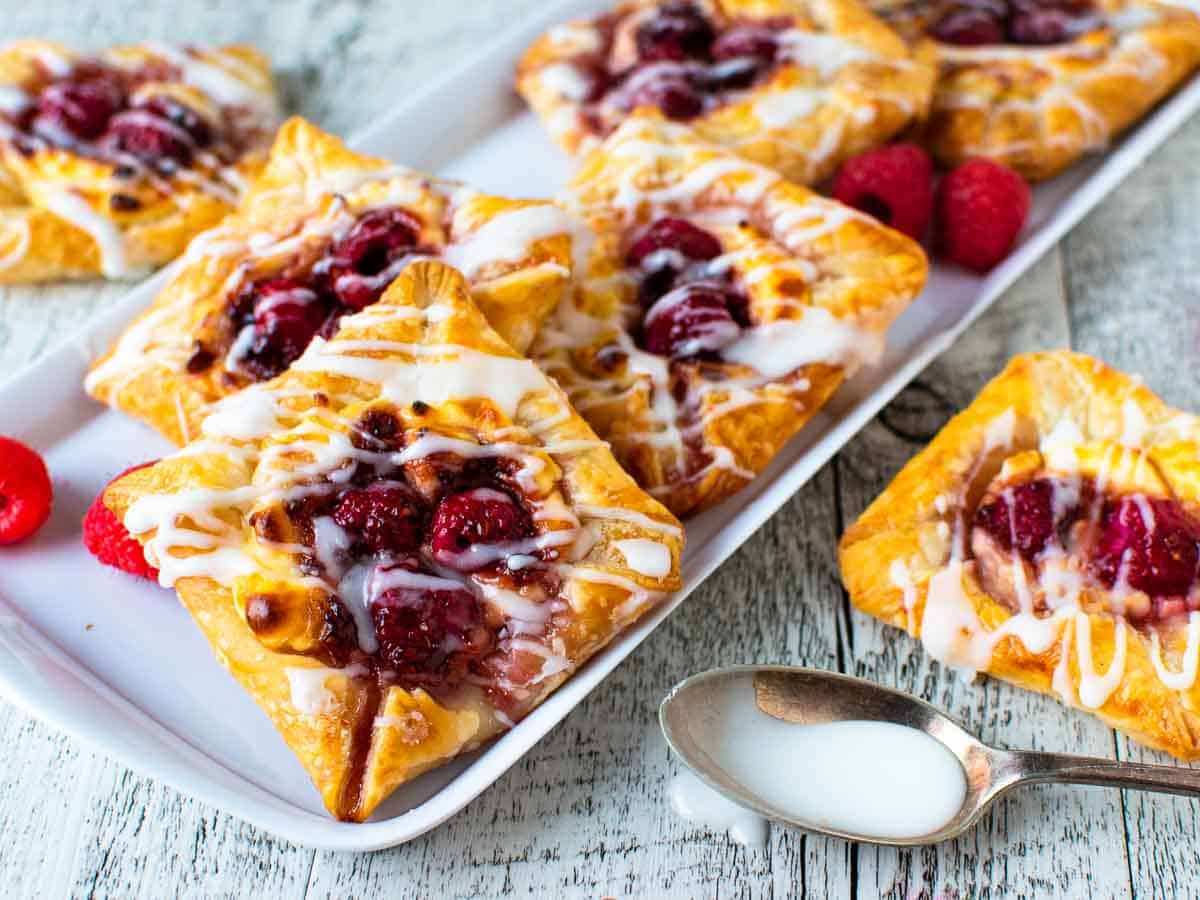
[(585, 814)]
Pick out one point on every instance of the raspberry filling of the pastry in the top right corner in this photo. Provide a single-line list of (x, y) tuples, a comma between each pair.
[(974, 23)]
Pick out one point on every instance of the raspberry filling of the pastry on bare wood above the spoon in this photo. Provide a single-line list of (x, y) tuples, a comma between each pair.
[(1143, 550)]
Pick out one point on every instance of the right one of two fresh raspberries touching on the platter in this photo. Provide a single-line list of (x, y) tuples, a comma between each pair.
[(982, 207)]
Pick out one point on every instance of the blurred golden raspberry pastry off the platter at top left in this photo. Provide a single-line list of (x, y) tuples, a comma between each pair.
[(111, 164)]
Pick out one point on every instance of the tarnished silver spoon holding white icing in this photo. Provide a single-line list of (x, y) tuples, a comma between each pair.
[(707, 713)]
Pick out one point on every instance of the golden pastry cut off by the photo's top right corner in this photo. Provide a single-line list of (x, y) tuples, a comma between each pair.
[(1039, 86)]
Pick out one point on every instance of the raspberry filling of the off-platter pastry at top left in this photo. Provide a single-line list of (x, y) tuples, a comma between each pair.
[(95, 111)]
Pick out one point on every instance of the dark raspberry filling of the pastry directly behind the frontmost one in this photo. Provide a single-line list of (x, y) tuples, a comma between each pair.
[(272, 321)]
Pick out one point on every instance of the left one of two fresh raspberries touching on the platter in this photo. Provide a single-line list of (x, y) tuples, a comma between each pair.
[(895, 184)]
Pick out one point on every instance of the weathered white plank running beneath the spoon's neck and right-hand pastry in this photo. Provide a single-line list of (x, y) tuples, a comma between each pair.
[(1052, 842)]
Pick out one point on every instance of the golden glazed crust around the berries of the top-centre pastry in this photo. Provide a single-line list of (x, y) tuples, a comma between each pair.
[(842, 83)]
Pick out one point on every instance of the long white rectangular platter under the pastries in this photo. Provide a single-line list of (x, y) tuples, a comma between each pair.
[(118, 664)]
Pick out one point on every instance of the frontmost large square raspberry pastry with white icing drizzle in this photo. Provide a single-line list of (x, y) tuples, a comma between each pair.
[(404, 544)]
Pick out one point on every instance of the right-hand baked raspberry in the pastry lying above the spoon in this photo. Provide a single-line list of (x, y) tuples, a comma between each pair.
[(1153, 544)]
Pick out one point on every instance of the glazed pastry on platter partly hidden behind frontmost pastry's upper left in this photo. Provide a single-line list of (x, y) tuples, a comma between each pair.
[(321, 233)]
